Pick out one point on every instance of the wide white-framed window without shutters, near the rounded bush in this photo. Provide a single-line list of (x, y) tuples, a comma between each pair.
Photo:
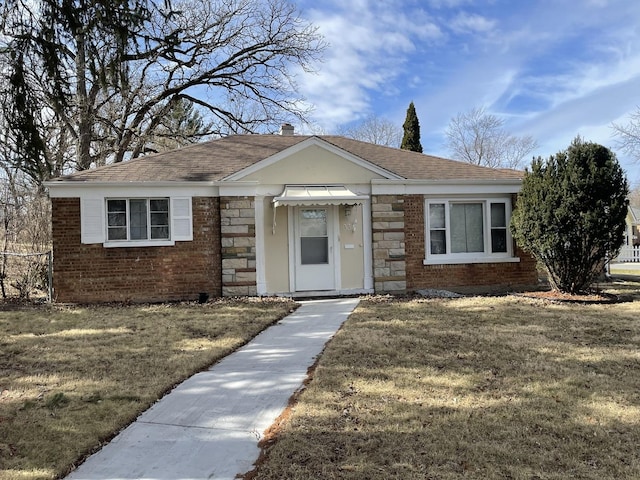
[(468, 231)]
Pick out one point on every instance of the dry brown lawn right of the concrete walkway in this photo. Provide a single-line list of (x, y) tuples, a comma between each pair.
[(478, 388)]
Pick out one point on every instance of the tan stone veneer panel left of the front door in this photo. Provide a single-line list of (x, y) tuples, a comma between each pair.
[(238, 240)]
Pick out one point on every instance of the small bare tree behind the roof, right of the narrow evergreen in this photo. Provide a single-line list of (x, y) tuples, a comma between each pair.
[(479, 138)]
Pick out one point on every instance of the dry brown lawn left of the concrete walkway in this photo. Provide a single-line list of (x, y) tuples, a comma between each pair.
[(70, 378)]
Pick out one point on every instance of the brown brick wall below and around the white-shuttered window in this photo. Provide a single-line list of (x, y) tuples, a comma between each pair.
[(92, 273)]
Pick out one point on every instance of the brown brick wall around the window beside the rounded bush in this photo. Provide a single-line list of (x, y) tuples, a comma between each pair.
[(469, 277)]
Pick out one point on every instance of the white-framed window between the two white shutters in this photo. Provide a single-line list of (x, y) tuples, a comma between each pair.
[(138, 219)]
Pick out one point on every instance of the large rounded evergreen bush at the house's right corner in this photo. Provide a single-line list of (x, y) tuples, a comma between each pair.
[(571, 213)]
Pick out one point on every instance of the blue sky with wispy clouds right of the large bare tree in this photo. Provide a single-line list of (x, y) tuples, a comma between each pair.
[(552, 69)]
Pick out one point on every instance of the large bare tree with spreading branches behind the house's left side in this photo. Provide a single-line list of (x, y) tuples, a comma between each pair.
[(115, 81)]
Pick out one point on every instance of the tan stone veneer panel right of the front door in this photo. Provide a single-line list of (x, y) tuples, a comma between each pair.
[(388, 239)]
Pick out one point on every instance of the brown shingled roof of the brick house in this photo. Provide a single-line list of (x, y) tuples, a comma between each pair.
[(217, 159)]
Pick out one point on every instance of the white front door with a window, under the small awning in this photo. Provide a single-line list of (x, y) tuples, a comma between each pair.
[(314, 249)]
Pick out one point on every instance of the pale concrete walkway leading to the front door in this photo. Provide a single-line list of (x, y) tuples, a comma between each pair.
[(209, 426)]
